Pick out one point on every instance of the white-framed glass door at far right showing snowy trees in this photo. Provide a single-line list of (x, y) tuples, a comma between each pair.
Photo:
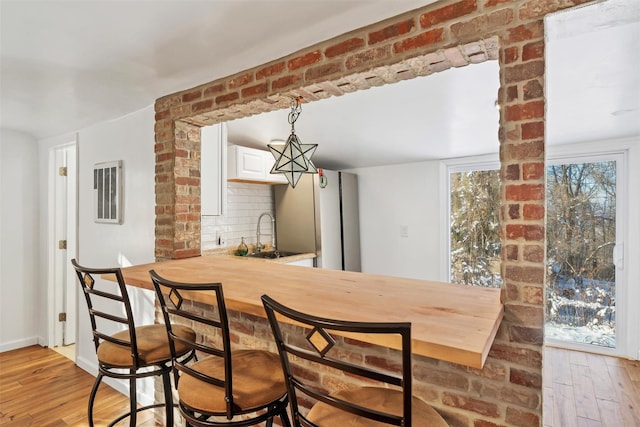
[(585, 290)]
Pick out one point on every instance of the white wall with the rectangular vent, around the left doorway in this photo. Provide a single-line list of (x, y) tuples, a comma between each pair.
[(130, 139)]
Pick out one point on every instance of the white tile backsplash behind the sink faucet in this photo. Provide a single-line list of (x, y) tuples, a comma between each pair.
[(245, 203)]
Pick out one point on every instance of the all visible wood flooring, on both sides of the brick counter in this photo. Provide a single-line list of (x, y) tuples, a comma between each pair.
[(39, 387)]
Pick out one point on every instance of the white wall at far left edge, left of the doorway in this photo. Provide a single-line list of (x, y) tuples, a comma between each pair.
[(19, 274)]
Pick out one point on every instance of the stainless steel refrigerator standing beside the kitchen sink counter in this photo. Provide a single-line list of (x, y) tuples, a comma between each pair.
[(320, 215)]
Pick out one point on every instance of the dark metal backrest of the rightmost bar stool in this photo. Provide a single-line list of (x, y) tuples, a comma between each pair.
[(319, 341)]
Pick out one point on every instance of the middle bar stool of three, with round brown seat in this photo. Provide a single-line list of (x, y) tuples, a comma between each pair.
[(225, 387)]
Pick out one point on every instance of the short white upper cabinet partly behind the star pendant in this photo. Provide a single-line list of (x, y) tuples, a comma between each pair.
[(250, 165)]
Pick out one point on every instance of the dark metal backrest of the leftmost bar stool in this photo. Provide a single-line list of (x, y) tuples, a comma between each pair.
[(109, 307)]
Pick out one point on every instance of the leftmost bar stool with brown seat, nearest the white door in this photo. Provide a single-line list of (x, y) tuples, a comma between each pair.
[(131, 353)]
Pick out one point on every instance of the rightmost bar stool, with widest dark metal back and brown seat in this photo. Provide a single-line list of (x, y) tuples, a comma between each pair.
[(386, 400)]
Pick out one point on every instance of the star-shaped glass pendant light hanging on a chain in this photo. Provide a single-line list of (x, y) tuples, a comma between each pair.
[(293, 158)]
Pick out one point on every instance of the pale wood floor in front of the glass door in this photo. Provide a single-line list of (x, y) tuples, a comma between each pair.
[(588, 390)]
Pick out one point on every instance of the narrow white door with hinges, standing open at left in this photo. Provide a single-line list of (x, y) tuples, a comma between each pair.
[(64, 244)]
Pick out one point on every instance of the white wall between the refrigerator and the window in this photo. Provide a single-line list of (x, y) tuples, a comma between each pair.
[(397, 198)]
